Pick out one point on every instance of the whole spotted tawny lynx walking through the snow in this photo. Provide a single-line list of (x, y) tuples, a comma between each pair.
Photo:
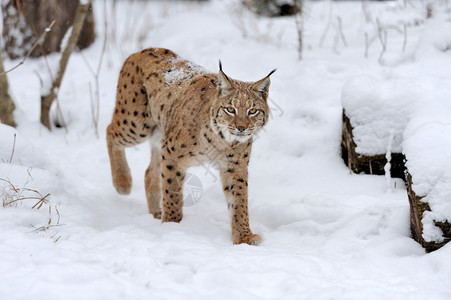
[(192, 117)]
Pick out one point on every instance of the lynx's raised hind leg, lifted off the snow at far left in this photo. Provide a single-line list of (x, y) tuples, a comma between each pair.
[(122, 178)]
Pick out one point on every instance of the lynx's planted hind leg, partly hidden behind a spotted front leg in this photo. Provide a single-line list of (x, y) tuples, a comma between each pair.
[(152, 178)]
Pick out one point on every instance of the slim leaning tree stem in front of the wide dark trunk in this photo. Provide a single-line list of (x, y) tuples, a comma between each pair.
[(47, 100)]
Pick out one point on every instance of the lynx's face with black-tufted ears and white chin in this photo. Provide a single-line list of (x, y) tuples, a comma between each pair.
[(241, 109)]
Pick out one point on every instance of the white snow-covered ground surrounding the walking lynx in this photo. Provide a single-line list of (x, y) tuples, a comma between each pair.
[(327, 234)]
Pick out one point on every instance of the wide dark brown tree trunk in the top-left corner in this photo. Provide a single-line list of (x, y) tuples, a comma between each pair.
[(29, 18)]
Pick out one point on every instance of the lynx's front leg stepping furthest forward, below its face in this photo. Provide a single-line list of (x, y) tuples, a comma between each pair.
[(234, 182)]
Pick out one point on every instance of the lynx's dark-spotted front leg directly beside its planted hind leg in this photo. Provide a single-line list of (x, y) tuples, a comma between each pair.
[(172, 183)]
